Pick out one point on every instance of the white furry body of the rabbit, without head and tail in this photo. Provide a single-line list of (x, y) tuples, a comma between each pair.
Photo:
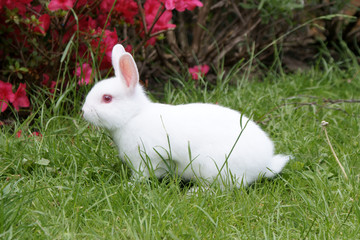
[(203, 134)]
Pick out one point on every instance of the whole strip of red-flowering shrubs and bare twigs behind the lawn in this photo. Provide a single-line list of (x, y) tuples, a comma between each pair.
[(46, 43)]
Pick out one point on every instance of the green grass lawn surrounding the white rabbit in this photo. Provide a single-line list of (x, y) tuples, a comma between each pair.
[(70, 184)]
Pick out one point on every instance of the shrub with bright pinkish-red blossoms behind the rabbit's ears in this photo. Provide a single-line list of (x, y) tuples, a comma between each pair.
[(41, 35)]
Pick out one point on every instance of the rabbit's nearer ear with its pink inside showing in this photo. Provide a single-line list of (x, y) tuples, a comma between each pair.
[(128, 70)]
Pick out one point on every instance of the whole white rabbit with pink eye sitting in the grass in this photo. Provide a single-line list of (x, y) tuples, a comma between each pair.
[(200, 140)]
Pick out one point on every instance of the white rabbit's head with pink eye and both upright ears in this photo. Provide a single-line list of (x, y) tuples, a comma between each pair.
[(114, 101)]
